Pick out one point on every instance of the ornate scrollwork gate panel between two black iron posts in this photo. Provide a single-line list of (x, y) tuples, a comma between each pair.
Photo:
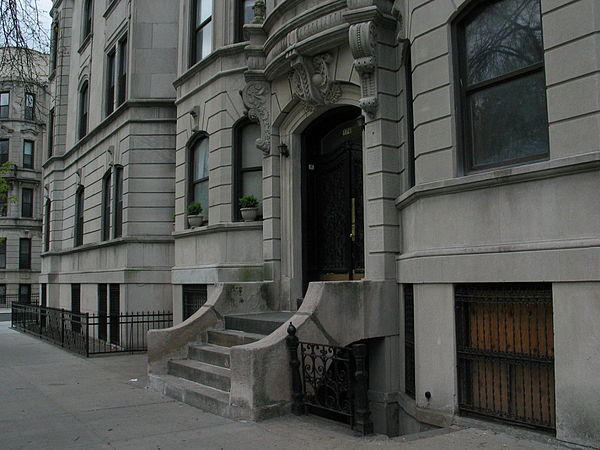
[(327, 380)]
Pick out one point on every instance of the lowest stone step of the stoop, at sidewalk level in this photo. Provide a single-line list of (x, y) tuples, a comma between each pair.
[(203, 397)]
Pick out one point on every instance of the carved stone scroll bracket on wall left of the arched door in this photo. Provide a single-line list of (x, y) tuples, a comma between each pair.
[(256, 98)]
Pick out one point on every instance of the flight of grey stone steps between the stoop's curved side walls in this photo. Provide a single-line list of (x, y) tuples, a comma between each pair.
[(203, 379)]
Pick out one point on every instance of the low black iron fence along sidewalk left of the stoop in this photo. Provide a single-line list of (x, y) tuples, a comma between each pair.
[(89, 334)]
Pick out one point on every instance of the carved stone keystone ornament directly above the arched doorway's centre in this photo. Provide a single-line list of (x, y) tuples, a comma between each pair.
[(311, 82)]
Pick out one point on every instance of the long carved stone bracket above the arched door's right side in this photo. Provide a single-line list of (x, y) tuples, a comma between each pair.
[(363, 38)]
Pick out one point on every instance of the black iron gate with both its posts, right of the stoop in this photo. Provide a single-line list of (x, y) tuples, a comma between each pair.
[(330, 381)]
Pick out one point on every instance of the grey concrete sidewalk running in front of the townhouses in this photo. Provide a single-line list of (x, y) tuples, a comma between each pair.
[(52, 399)]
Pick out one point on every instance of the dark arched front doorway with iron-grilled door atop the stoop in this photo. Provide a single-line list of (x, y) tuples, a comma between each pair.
[(333, 230)]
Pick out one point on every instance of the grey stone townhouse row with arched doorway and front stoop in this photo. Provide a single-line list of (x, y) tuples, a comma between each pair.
[(427, 174)]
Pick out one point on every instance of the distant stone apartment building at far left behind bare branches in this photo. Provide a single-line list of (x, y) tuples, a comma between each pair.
[(23, 115)]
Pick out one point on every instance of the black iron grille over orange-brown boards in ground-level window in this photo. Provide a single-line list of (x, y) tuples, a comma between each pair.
[(505, 346)]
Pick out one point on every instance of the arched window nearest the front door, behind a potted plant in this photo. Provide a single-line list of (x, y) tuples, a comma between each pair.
[(248, 177)]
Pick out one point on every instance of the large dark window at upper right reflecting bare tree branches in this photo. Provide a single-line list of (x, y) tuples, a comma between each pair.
[(502, 84)]
